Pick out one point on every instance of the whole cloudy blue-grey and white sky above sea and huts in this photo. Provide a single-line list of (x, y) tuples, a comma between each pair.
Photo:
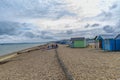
[(49, 20)]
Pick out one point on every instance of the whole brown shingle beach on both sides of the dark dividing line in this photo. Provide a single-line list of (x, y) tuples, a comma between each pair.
[(39, 63)]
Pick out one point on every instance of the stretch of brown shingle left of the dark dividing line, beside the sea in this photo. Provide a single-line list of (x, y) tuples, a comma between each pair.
[(32, 65)]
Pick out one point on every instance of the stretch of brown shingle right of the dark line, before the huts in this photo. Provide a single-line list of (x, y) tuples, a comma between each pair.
[(91, 64)]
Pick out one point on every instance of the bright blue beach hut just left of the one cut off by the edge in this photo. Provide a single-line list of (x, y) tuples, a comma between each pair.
[(105, 42)]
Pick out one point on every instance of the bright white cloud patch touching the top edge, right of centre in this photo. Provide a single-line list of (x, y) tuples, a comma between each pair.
[(84, 8)]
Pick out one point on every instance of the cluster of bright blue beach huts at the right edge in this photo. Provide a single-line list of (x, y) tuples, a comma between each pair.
[(108, 42)]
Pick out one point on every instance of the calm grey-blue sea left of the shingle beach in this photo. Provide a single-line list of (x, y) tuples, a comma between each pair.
[(14, 47)]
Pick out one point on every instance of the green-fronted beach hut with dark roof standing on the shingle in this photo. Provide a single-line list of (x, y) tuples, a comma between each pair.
[(79, 42)]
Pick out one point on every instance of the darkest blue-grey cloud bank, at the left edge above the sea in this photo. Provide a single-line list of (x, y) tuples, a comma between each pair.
[(15, 28)]
